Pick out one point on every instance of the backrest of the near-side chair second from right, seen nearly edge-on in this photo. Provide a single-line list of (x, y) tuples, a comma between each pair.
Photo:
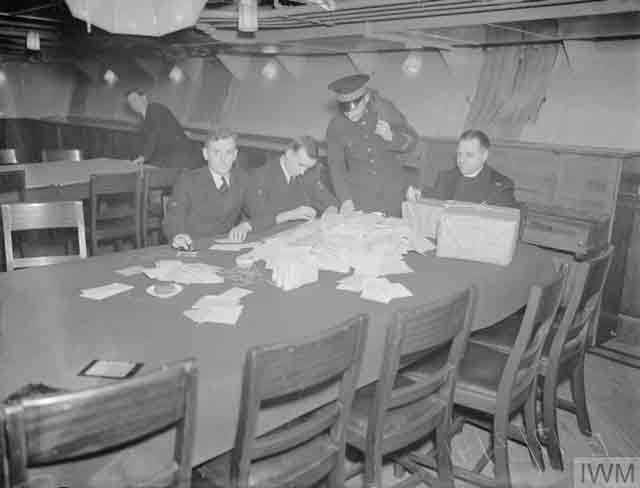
[(521, 369)]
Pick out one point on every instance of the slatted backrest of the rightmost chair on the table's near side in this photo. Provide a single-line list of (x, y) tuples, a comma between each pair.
[(589, 278)]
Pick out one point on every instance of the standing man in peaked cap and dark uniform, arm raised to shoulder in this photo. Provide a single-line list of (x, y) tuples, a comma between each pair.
[(364, 140)]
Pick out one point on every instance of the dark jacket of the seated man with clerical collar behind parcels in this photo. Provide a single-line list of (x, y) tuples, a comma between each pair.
[(489, 186)]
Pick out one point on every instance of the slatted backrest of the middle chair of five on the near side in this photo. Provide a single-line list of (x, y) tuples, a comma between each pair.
[(414, 334)]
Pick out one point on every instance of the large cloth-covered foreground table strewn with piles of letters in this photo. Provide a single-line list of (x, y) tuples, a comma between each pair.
[(48, 332)]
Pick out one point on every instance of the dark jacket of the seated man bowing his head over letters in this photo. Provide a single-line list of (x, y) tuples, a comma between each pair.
[(269, 193)]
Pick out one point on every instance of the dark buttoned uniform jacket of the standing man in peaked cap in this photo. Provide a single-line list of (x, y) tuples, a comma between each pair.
[(363, 166)]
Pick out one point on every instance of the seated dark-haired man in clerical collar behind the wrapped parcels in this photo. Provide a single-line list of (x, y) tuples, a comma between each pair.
[(472, 180)]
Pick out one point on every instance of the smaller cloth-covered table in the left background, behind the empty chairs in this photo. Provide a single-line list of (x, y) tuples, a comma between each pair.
[(66, 180)]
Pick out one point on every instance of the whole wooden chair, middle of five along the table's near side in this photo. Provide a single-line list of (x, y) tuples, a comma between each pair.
[(395, 412)]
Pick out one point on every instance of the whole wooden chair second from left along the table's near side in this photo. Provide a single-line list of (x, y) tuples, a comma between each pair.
[(311, 448)]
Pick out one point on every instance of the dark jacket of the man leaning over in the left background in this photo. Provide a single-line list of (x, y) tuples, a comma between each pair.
[(164, 142)]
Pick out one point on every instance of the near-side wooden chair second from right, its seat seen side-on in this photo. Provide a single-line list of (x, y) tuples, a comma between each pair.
[(499, 385)]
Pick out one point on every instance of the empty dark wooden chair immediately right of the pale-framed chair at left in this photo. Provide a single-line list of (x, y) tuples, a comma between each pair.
[(115, 202)]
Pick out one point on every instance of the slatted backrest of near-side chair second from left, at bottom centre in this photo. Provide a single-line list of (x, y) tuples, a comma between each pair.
[(282, 373)]
